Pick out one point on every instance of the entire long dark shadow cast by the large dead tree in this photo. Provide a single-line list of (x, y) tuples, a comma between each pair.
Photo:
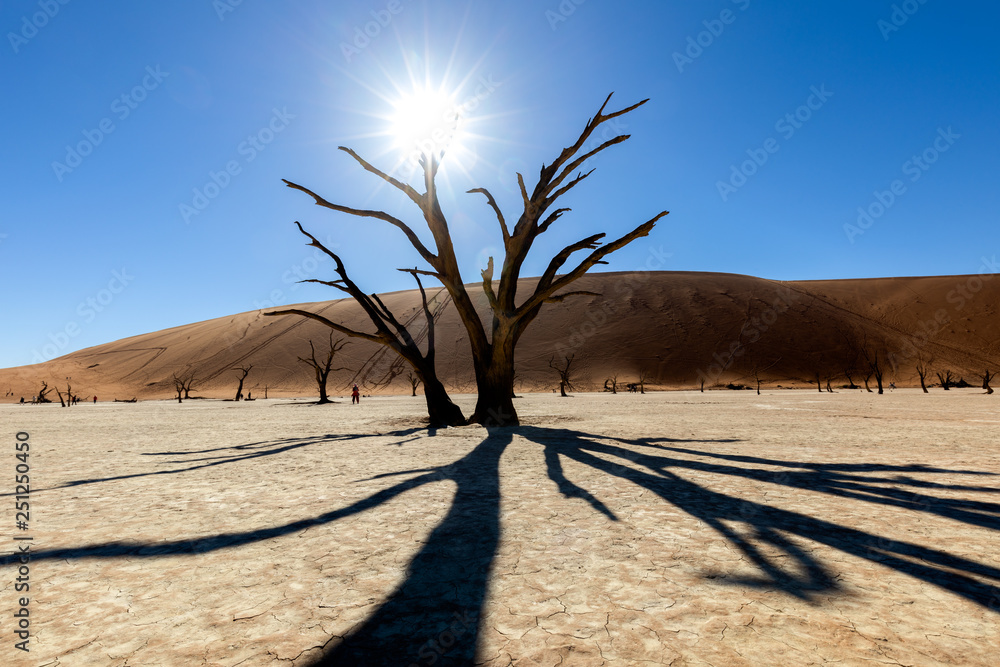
[(434, 617)]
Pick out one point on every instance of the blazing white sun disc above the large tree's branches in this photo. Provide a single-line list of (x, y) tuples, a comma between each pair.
[(426, 122)]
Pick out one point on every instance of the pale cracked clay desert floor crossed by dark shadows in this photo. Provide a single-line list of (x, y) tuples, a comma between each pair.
[(724, 528)]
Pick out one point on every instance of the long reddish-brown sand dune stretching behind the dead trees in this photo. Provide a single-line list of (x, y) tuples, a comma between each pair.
[(677, 328)]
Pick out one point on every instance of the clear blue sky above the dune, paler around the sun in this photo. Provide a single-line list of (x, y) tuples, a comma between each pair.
[(115, 113)]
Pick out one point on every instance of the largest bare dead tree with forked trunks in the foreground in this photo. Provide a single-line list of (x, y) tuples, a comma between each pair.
[(492, 346)]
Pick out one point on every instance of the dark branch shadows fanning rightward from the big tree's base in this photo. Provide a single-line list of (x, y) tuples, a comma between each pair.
[(795, 571)]
